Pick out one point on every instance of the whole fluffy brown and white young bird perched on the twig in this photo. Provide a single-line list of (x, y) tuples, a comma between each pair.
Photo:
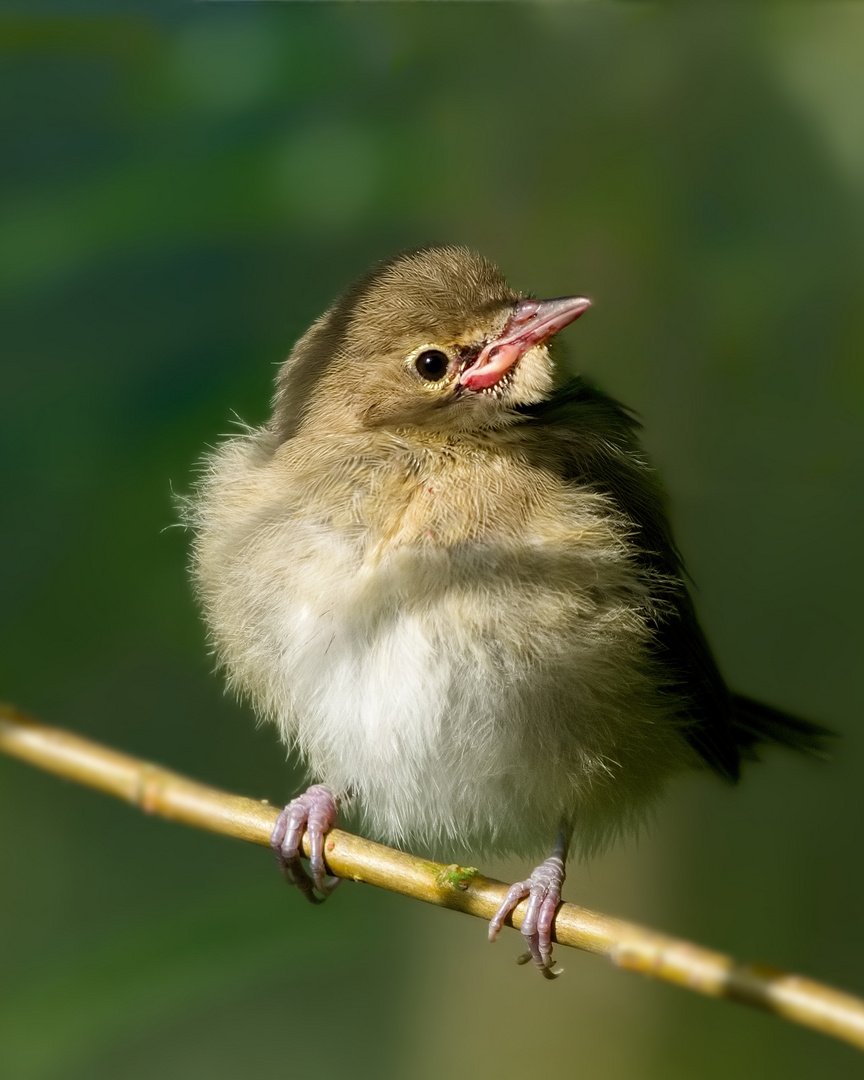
[(444, 570)]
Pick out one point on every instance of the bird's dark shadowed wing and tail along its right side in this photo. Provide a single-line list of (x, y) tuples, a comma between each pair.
[(597, 444)]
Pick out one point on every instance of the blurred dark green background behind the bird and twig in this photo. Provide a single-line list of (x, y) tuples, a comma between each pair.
[(183, 193)]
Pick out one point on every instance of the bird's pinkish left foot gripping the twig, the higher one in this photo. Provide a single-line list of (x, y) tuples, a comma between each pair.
[(314, 813)]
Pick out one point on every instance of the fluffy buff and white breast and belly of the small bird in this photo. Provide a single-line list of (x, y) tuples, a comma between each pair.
[(465, 695)]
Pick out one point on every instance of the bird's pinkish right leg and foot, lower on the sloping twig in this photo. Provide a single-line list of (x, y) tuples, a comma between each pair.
[(543, 888)]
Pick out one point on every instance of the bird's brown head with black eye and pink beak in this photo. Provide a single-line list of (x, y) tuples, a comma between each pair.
[(434, 339)]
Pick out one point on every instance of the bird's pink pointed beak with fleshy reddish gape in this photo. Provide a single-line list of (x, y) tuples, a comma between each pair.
[(532, 323)]
